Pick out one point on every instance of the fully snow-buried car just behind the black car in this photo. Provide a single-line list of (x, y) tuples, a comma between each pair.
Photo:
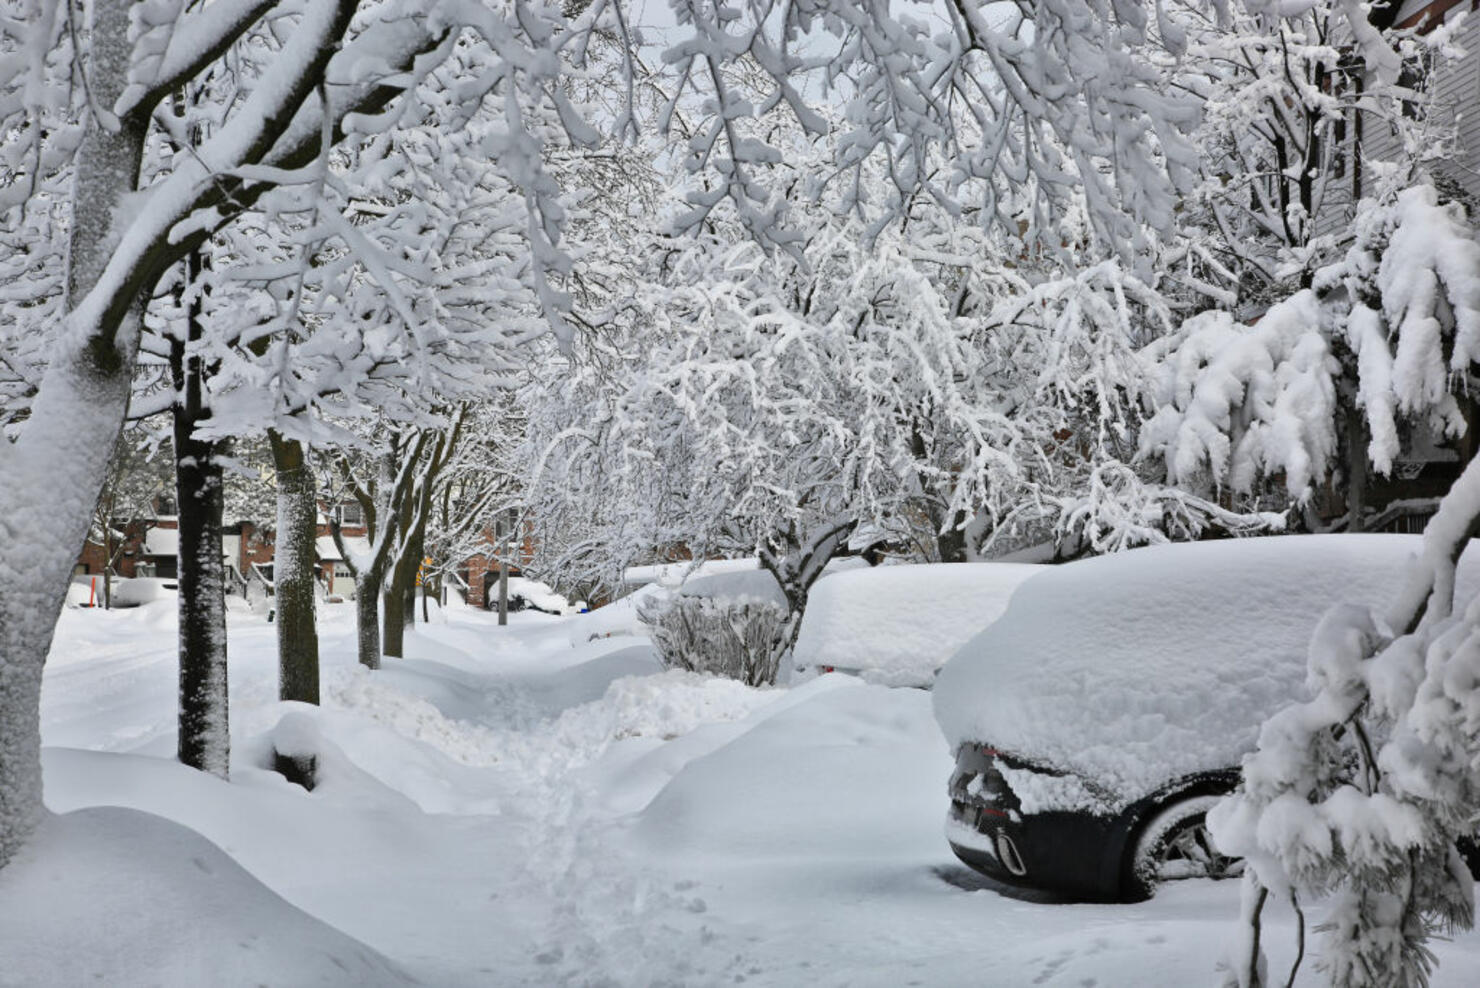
[(899, 625)]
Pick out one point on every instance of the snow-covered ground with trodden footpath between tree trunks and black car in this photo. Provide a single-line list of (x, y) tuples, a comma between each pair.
[(535, 807)]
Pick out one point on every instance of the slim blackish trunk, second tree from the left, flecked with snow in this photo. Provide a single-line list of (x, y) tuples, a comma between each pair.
[(205, 730)]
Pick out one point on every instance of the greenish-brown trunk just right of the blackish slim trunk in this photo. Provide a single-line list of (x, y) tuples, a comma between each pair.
[(294, 572)]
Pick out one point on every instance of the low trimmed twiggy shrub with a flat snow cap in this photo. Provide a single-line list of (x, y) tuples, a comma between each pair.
[(736, 638)]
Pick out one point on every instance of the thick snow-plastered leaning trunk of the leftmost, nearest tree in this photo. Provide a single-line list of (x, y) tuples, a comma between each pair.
[(57, 468)]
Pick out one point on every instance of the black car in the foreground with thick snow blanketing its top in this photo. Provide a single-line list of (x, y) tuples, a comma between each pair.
[(1109, 709)]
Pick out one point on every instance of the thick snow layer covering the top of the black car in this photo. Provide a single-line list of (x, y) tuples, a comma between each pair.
[(1142, 668)]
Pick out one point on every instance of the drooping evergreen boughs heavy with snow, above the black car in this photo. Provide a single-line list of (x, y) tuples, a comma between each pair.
[(1342, 376)]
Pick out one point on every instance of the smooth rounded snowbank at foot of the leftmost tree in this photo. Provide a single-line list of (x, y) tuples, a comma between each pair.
[(115, 897)]
